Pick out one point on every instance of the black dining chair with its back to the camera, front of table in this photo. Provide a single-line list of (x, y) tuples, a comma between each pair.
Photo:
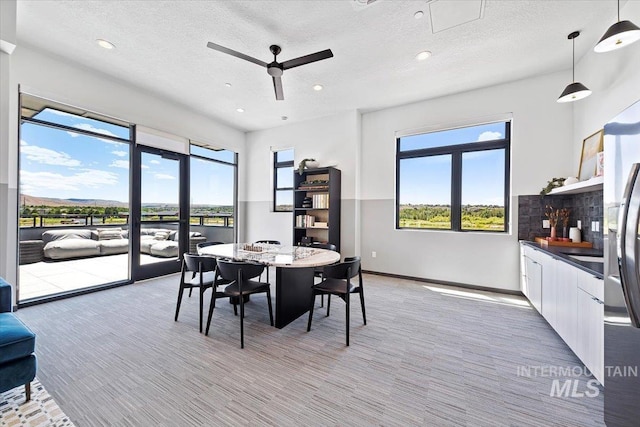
[(239, 274)]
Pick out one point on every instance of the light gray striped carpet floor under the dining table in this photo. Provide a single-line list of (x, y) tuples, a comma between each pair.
[(430, 355)]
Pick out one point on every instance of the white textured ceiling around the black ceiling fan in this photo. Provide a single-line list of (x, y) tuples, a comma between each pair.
[(161, 48)]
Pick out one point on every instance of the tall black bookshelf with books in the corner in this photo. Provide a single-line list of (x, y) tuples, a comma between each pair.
[(317, 194)]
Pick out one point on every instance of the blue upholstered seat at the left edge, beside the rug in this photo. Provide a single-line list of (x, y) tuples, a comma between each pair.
[(17, 343)]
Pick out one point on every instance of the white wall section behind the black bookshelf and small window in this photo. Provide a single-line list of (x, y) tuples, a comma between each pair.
[(332, 140)]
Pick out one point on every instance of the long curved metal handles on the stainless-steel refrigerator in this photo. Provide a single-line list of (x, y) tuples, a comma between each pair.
[(628, 256)]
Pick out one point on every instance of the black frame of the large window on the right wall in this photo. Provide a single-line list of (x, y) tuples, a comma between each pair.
[(456, 151)]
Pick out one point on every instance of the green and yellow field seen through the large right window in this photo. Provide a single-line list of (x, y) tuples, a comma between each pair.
[(474, 217)]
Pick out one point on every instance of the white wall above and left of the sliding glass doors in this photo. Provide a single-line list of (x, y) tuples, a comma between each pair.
[(78, 86)]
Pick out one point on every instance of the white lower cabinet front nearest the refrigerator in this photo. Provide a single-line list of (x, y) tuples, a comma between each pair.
[(590, 337)]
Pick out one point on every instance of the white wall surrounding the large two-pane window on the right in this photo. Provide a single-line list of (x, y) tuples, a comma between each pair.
[(540, 148)]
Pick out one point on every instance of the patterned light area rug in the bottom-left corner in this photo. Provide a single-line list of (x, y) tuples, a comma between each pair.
[(40, 411)]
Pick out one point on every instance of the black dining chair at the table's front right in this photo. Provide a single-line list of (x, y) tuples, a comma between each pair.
[(337, 281)]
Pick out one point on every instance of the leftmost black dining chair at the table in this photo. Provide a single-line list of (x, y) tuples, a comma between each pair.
[(201, 270)]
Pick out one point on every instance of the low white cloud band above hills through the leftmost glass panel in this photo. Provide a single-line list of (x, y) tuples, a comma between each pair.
[(36, 182)]
